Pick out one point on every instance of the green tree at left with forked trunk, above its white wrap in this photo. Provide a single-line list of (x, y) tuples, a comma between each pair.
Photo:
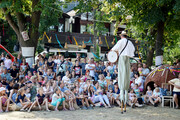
[(31, 16)]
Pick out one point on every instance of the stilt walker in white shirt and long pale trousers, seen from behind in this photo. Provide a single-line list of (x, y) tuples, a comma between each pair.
[(126, 49)]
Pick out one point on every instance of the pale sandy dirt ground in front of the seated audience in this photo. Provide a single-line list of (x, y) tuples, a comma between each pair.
[(145, 113)]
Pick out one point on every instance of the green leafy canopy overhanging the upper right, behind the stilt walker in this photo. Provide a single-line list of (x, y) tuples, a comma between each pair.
[(147, 18)]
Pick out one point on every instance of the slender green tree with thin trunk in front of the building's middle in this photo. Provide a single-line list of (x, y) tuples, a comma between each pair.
[(93, 6)]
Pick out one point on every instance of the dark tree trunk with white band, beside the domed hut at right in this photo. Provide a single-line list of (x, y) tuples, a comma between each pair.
[(159, 43)]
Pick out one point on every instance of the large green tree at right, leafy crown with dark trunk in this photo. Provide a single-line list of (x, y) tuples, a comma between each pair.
[(160, 15)]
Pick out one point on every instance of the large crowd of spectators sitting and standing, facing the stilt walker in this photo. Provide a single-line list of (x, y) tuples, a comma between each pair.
[(60, 82)]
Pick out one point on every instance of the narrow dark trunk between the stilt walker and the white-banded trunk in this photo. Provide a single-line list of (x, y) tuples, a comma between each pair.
[(150, 55)]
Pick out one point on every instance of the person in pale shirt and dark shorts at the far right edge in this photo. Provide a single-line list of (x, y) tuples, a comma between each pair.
[(176, 91)]
